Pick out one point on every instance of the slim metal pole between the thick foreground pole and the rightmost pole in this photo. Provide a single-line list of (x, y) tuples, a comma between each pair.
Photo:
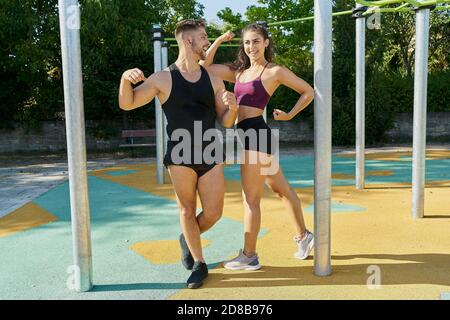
[(360, 98)]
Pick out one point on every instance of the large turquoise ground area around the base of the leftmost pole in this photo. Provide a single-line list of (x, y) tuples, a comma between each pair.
[(35, 264)]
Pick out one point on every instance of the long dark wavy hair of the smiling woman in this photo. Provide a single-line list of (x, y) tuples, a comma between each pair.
[(242, 61)]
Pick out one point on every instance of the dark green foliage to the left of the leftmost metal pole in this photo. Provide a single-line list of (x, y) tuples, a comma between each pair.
[(29, 50)]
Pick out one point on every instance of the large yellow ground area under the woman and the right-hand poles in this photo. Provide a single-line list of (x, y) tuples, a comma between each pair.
[(412, 254)]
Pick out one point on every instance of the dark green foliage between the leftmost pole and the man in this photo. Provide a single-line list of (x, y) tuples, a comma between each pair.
[(115, 36)]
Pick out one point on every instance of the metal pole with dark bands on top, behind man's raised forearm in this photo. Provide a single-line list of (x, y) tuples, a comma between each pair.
[(158, 110)]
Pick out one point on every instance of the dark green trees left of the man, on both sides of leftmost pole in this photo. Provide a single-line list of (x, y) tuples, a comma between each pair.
[(115, 35)]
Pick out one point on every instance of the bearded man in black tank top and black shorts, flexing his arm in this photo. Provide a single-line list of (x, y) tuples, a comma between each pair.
[(189, 96)]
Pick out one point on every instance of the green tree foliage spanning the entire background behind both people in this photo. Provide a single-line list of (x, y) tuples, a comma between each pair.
[(116, 35)]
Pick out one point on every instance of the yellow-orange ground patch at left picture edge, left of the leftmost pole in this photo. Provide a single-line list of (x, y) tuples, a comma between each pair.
[(24, 218)]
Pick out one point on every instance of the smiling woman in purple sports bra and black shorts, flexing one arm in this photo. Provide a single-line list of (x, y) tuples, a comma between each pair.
[(256, 79)]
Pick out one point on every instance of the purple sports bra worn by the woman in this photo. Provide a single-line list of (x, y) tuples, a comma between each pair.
[(252, 93)]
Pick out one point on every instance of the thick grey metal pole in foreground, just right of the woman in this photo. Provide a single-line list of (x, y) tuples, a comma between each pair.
[(322, 136)]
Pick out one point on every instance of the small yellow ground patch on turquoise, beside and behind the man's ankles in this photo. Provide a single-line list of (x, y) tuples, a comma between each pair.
[(161, 251)]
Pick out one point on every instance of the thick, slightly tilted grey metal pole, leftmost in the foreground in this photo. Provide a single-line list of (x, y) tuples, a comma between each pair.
[(69, 21)]
